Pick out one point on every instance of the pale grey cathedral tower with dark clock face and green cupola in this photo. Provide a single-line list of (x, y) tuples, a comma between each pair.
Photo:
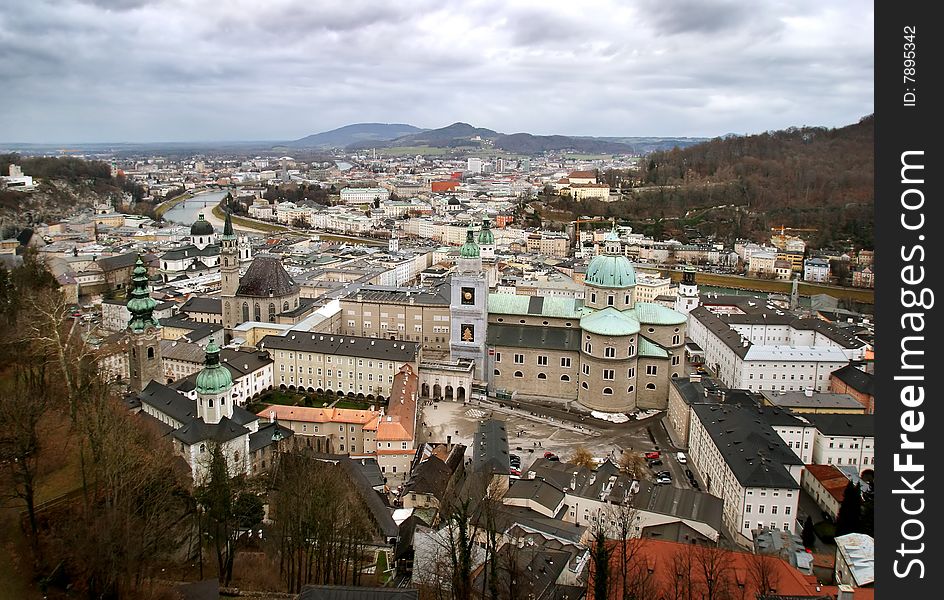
[(468, 307)]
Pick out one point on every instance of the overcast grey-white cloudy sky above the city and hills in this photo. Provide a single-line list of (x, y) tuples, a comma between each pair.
[(197, 70)]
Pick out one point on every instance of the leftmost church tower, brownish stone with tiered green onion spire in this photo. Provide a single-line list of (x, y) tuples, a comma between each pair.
[(144, 332)]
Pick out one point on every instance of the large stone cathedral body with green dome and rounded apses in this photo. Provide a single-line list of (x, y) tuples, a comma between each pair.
[(610, 353)]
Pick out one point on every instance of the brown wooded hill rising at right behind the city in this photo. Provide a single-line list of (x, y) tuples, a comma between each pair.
[(806, 177)]
